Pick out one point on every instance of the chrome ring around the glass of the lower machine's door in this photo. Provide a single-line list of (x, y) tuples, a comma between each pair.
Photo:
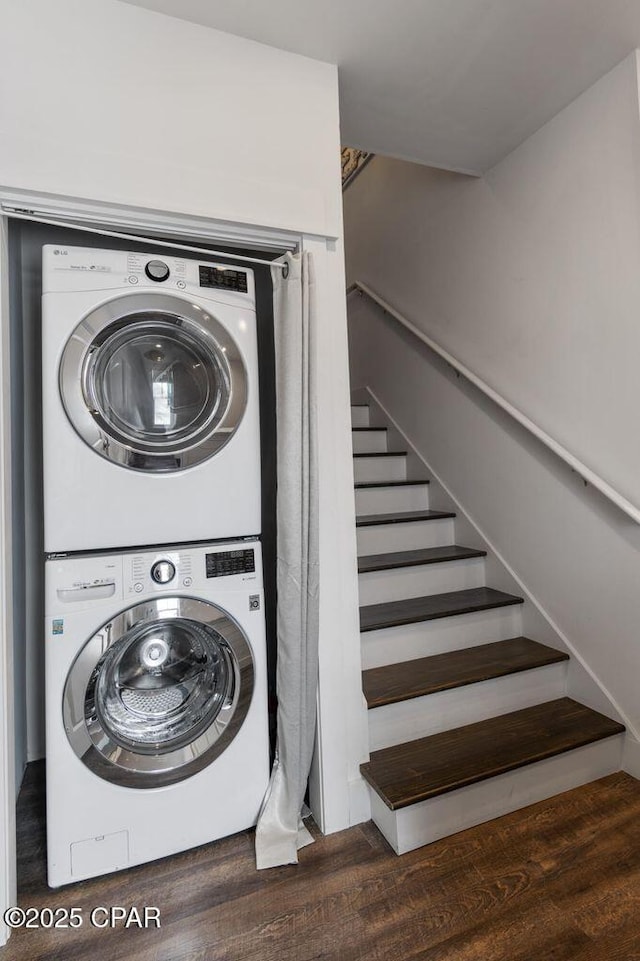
[(111, 760)]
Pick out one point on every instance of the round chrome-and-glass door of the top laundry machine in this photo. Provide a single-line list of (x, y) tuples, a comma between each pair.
[(153, 382)]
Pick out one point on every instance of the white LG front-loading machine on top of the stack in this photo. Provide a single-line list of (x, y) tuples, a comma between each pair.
[(150, 400)]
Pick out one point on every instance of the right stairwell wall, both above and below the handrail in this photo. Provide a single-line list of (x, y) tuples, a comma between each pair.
[(532, 278)]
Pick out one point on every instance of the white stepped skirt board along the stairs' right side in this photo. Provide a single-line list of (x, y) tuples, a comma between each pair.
[(582, 683)]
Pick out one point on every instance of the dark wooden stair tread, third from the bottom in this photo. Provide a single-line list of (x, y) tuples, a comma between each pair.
[(413, 609)]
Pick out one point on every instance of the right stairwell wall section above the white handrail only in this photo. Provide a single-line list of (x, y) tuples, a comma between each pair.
[(531, 275)]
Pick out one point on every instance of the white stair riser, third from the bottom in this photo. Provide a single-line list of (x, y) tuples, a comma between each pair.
[(395, 644)]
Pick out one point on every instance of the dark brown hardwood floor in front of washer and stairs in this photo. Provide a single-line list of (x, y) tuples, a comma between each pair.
[(559, 880)]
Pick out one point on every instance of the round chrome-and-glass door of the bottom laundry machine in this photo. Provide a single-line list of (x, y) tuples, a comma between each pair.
[(158, 692)]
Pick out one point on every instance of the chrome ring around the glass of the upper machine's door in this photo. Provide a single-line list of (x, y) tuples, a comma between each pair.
[(88, 421)]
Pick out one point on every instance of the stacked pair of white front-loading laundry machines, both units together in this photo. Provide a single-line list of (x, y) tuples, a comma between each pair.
[(155, 661)]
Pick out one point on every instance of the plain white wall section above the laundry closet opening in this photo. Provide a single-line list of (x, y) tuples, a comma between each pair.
[(107, 101)]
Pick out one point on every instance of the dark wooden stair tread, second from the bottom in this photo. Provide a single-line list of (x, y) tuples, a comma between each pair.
[(442, 672)]
